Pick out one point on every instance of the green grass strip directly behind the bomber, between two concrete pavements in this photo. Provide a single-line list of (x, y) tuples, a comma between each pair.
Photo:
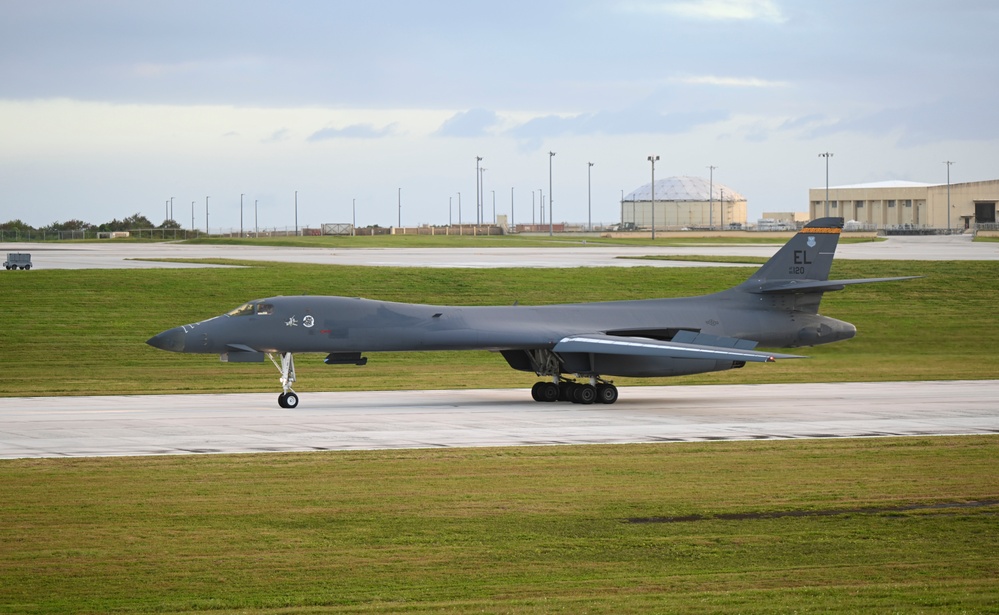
[(83, 332)]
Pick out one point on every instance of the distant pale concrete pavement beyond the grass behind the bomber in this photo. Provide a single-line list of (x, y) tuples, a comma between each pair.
[(111, 255)]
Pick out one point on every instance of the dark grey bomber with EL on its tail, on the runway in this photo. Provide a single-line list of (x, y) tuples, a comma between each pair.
[(572, 346)]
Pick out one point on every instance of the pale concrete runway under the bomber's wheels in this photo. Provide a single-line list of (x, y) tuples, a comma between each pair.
[(246, 423)]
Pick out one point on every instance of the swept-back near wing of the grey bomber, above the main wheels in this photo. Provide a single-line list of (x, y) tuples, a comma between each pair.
[(638, 346)]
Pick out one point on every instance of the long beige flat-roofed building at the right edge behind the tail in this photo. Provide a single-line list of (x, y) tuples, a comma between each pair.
[(892, 204)]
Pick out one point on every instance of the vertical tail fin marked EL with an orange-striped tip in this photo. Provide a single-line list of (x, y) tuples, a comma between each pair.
[(807, 257)]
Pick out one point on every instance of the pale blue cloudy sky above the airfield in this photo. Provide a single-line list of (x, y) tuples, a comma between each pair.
[(376, 110)]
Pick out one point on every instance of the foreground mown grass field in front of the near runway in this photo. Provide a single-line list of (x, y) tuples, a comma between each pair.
[(875, 525)]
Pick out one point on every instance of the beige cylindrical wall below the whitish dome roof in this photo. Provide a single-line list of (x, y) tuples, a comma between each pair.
[(684, 214)]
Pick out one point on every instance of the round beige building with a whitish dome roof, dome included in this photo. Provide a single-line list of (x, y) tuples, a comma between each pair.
[(684, 202)]
